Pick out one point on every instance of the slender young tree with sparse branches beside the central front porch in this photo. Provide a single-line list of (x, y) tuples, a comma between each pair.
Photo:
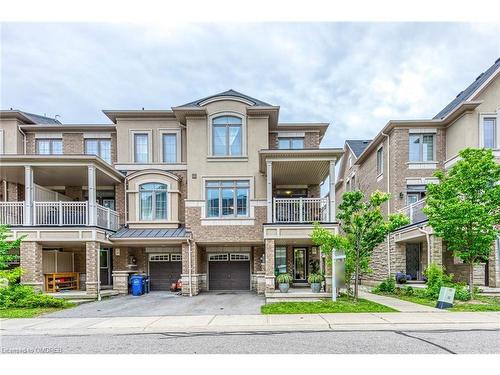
[(363, 228)]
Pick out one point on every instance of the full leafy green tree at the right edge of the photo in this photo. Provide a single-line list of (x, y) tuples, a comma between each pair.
[(464, 207)]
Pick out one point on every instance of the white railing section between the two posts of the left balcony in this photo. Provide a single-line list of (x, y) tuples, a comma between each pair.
[(60, 213)]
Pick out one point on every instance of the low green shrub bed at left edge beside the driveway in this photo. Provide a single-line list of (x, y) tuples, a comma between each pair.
[(23, 296)]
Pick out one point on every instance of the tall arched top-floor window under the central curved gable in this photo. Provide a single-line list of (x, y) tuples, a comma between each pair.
[(227, 136)]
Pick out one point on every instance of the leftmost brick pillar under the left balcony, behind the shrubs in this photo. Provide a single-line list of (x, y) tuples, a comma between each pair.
[(31, 263)]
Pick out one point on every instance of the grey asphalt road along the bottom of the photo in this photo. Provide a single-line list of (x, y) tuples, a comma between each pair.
[(346, 342)]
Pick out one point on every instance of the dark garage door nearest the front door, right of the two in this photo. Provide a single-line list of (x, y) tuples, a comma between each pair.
[(229, 272)]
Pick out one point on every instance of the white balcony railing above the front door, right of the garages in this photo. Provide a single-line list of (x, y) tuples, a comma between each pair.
[(300, 210)]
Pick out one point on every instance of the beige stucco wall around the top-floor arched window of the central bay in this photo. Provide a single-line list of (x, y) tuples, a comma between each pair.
[(200, 164)]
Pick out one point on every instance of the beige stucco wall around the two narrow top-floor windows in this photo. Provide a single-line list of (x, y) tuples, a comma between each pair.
[(124, 137)]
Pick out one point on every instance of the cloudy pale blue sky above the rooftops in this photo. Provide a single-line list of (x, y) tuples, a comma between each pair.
[(356, 76)]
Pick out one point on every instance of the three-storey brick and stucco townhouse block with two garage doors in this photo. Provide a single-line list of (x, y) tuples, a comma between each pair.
[(216, 192)]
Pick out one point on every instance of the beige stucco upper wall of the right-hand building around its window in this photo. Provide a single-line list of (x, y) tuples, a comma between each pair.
[(464, 132)]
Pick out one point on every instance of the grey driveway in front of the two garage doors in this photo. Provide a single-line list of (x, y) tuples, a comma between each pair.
[(167, 303)]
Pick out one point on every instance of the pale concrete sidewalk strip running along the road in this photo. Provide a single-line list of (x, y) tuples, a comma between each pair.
[(232, 323)]
